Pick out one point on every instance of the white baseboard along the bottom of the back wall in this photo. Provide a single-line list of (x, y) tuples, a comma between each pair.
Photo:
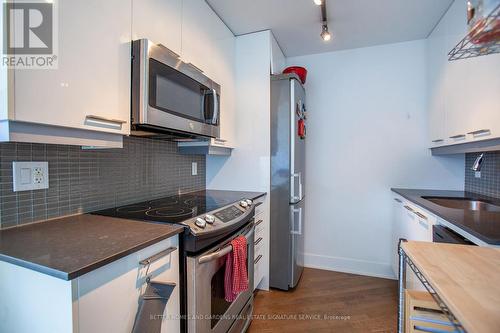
[(349, 265)]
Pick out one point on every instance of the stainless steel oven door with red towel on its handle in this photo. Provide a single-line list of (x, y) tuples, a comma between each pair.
[(208, 312)]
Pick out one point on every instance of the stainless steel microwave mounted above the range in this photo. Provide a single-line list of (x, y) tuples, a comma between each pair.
[(170, 96)]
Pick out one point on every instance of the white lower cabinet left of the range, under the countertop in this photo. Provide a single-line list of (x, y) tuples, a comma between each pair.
[(102, 301)]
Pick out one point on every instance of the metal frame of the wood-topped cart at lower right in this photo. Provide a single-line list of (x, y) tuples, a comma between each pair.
[(403, 258)]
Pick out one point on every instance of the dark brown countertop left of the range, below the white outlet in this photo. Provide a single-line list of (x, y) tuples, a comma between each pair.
[(72, 246)]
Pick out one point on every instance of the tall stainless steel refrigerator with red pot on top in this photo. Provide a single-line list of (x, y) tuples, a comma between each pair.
[(288, 115)]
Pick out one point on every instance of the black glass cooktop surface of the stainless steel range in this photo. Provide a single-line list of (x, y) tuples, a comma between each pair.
[(176, 208)]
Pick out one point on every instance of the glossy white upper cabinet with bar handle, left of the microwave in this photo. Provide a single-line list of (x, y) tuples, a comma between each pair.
[(90, 90)]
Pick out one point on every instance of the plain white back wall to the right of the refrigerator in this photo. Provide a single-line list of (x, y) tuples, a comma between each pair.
[(366, 133)]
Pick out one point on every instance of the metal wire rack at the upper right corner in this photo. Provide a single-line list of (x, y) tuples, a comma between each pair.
[(467, 49)]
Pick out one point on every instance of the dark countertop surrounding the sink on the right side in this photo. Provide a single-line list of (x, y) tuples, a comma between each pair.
[(482, 224)]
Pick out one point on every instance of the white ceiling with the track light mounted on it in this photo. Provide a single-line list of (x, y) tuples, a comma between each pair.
[(296, 24)]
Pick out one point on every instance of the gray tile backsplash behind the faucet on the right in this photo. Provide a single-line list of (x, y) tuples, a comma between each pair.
[(489, 183)]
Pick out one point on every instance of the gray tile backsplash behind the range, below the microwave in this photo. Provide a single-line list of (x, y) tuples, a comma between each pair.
[(88, 180)]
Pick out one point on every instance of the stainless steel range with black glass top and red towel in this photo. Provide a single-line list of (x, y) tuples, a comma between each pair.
[(211, 219)]
